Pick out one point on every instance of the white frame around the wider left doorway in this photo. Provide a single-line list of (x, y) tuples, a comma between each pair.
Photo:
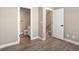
[(18, 21)]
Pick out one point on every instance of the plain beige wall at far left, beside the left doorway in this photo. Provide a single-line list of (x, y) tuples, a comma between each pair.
[(8, 25)]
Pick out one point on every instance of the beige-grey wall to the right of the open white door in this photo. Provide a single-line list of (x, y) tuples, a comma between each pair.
[(72, 23)]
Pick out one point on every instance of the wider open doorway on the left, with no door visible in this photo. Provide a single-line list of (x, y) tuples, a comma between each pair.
[(25, 25)]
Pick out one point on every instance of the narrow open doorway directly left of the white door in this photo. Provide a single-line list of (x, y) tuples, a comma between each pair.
[(49, 17)]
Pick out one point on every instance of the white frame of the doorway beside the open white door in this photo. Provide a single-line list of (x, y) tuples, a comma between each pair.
[(44, 21)]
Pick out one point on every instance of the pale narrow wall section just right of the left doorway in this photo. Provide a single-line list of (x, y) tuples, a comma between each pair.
[(34, 22)]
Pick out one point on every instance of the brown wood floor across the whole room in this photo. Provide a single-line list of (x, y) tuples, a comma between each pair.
[(51, 44)]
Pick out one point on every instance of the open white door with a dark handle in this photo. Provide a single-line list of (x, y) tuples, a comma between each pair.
[(58, 23)]
